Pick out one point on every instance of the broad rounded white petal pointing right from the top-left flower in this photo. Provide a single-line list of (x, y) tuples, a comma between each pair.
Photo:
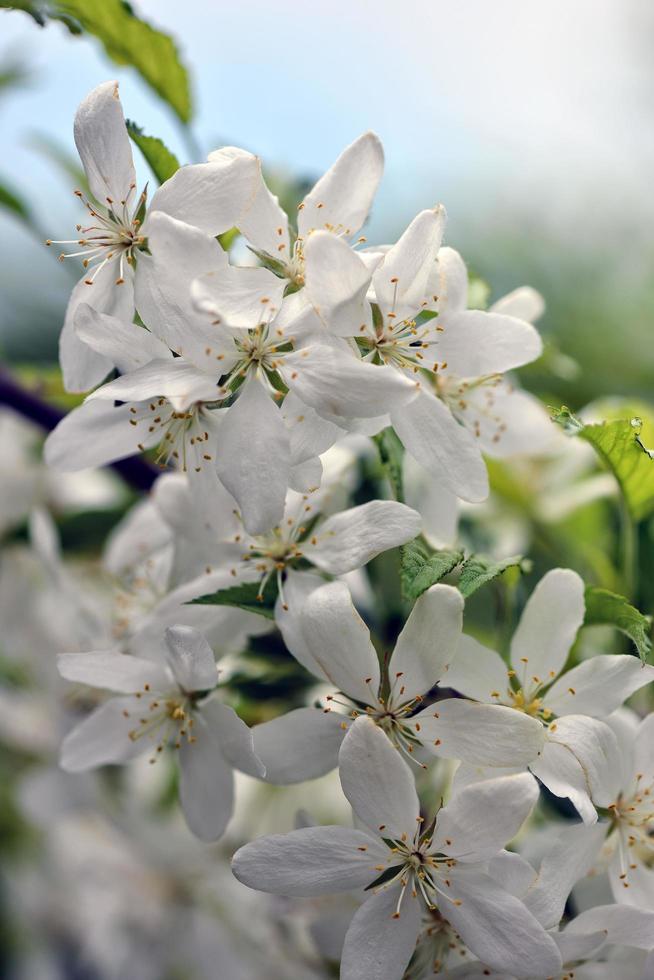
[(211, 195)]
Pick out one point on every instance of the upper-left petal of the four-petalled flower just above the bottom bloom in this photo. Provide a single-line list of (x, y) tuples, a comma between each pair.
[(339, 641)]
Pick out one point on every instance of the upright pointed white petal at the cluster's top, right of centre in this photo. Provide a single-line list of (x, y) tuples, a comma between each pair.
[(341, 199)]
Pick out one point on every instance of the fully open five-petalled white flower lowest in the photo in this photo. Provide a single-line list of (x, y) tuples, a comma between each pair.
[(409, 866)]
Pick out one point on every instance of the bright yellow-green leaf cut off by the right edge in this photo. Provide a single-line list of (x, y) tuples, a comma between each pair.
[(619, 445)]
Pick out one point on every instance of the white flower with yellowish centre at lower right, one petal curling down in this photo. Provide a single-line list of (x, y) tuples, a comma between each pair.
[(579, 749)]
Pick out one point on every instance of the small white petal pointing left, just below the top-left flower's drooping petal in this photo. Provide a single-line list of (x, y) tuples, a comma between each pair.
[(126, 345)]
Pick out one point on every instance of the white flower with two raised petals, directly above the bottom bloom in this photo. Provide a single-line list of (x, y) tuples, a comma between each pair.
[(330, 639)]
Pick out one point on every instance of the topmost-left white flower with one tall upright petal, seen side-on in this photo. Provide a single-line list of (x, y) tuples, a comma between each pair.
[(209, 196)]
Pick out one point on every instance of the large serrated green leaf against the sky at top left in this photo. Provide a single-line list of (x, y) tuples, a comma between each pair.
[(128, 40)]
